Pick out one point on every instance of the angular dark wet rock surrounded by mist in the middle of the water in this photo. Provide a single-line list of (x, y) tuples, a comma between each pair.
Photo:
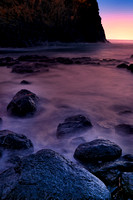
[(73, 125)]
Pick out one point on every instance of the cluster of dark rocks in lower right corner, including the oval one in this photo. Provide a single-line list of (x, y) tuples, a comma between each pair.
[(103, 159)]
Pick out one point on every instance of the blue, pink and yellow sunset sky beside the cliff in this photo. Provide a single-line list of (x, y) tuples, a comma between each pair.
[(117, 18)]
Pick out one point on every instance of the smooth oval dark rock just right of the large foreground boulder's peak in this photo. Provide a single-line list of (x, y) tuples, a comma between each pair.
[(98, 150)]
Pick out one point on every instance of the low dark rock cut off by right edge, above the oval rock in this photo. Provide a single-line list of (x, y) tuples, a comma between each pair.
[(124, 129)]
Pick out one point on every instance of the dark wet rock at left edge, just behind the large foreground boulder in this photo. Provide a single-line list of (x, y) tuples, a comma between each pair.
[(15, 142)]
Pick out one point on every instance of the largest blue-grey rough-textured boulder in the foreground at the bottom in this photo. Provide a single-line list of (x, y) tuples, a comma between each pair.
[(47, 175)]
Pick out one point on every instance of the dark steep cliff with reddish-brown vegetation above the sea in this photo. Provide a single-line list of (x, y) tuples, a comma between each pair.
[(23, 23)]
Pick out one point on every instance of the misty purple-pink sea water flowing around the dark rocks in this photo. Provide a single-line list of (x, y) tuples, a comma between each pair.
[(101, 92)]
